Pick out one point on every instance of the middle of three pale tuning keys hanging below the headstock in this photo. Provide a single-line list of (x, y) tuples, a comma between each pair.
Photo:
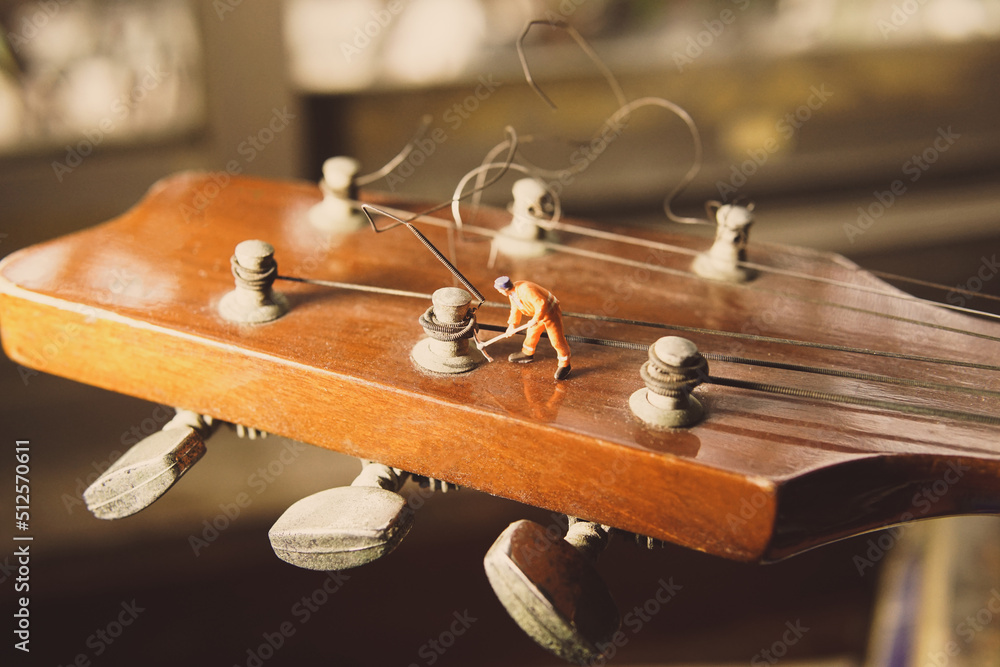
[(347, 526)]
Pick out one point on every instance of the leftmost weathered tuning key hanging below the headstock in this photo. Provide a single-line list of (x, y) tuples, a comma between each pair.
[(148, 469)]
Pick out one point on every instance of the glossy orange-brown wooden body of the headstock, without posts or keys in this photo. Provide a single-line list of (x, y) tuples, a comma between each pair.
[(131, 306)]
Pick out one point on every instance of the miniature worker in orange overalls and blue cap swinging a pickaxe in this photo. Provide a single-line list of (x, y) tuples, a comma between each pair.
[(536, 302)]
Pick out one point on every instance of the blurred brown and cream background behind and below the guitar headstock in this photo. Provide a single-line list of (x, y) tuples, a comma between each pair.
[(810, 108)]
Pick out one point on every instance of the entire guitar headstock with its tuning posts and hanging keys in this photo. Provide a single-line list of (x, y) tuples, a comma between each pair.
[(748, 403)]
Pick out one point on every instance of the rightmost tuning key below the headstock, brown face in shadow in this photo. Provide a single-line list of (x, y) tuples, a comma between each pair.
[(550, 587)]
